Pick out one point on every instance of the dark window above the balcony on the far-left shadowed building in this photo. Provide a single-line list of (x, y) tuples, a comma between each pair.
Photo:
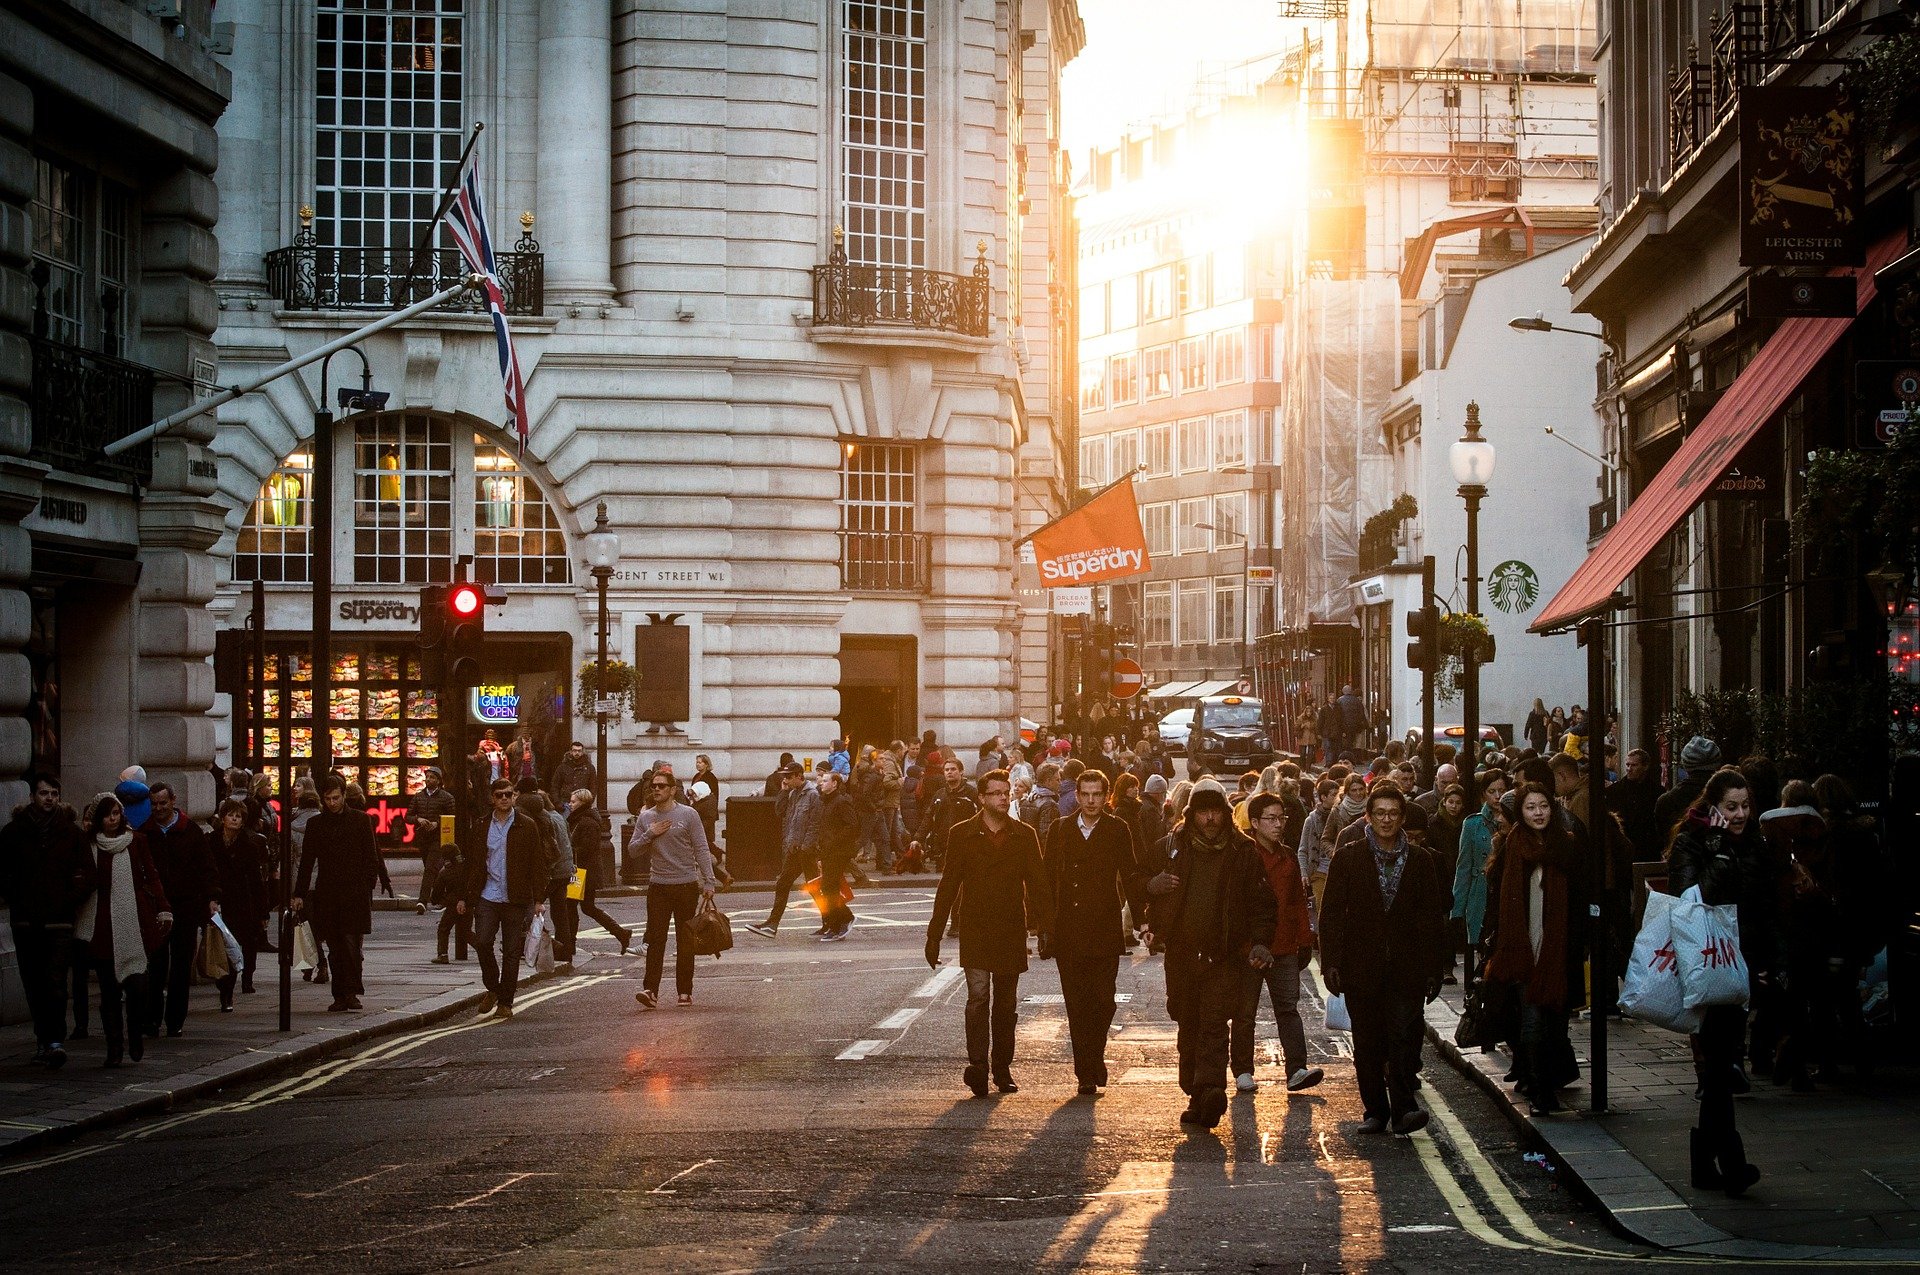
[(82, 258)]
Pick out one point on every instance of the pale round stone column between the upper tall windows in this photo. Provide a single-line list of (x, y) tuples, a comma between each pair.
[(575, 172)]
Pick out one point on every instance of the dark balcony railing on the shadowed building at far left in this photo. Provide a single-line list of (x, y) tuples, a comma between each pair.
[(85, 400)]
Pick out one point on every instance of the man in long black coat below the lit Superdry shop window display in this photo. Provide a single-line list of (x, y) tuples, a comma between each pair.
[(343, 865)]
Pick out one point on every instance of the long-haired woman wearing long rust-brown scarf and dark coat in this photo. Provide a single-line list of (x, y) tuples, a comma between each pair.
[(1539, 950)]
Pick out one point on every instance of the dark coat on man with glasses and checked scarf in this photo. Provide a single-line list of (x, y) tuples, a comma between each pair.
[(1378, 951)]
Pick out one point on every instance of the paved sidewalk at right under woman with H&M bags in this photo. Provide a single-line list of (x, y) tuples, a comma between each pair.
[(1840, 1167)]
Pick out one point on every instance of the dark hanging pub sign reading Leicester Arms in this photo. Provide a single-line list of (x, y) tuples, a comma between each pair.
[(1802, 176)]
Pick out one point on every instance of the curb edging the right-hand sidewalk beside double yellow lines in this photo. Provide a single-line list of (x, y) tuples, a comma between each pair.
[(1637, 1203)]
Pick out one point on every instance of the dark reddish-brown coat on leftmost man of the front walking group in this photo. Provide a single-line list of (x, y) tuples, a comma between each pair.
[(999, 892)]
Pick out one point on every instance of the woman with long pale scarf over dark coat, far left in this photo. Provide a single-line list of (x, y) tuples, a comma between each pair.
[(124, 921)]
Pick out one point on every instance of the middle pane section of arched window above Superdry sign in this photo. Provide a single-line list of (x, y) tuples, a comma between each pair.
[(402, 500)]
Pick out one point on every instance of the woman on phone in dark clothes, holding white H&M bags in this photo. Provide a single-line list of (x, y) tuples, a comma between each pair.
[(1719, 850)]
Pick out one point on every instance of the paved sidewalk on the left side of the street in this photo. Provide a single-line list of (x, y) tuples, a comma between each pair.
[(404, 990)]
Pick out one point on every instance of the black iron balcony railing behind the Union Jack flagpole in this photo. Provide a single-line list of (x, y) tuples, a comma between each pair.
[(316, 277)]
